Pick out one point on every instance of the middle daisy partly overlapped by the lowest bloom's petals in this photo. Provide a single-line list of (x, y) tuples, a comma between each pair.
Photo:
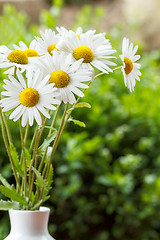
[(67, 75)]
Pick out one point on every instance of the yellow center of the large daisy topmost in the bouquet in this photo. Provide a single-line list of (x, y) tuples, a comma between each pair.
[(83, 52)]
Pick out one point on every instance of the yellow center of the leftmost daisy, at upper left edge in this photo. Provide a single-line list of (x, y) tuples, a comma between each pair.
[(18, 56)]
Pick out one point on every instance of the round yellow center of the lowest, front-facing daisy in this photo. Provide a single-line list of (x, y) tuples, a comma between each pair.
[(29, 97)]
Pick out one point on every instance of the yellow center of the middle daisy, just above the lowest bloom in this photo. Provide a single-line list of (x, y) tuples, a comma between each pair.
[(60, 78)]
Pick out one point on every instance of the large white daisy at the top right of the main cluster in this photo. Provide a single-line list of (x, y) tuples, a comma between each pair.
[(94, 49)]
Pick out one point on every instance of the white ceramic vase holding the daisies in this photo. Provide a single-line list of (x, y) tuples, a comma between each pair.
[(29, 225)]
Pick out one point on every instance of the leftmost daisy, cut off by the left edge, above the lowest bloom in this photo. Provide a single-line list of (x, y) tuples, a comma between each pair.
[(13, 58)]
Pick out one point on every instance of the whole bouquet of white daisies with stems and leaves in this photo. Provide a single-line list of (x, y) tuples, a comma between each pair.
[(52, 74)]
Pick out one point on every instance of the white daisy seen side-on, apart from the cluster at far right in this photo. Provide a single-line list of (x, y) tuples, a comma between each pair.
[(130, 68)]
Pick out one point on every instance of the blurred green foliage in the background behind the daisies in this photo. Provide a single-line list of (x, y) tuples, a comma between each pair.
[(107, 176)]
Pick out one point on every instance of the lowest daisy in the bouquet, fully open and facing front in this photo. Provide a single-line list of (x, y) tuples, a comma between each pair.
[(28, 100)]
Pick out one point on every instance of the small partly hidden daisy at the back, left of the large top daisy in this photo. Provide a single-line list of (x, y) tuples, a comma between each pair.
[(47, 42)]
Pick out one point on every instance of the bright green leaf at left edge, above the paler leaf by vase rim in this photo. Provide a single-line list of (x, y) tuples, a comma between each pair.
[(13, 195)]
